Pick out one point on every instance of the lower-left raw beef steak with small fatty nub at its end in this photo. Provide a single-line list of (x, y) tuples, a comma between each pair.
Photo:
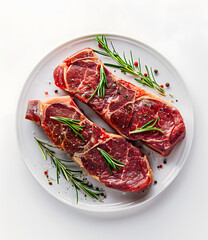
[(134, 177)]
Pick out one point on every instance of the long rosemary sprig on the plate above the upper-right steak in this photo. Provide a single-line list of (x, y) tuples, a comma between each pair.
[(128, 66)]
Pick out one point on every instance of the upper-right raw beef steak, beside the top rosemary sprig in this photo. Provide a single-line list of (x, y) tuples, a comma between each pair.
[(125, 107)]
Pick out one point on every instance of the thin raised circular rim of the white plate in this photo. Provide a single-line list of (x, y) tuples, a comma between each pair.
[(106, 209)]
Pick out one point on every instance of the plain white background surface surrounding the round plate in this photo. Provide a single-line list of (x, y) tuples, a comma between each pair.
[(31, 29)]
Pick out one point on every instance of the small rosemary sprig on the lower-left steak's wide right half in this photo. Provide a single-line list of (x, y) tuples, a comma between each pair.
[(111, 162)]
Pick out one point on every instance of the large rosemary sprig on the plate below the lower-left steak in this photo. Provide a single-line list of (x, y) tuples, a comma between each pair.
[(67, 173)]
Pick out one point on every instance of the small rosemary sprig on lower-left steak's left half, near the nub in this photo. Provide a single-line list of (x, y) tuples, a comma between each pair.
[(71, 123)]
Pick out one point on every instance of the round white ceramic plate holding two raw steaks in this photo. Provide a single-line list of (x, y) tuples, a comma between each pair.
[(41, 81)]
